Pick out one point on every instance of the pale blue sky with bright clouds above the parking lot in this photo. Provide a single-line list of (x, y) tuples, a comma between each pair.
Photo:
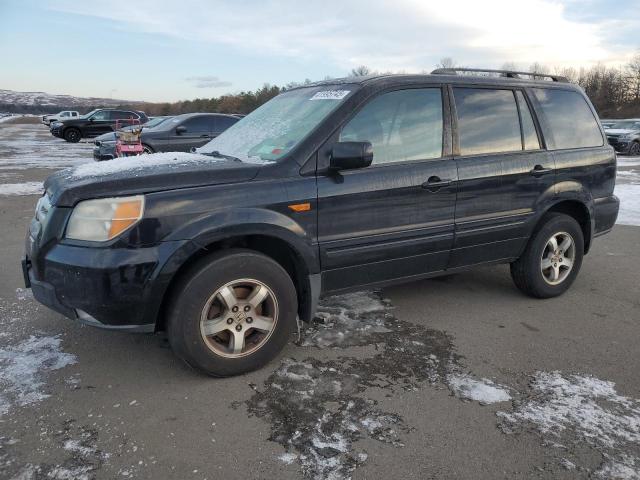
[(158, 50)]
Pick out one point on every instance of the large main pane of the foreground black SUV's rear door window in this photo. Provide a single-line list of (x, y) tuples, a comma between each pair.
[(487, 121)]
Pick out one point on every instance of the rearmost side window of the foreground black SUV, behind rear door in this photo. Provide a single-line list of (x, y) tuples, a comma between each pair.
[(571, 121)]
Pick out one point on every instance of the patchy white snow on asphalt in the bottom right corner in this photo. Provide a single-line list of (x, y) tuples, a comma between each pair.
[(582, 408)]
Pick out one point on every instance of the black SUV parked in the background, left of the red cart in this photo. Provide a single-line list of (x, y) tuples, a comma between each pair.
[(94, 123)]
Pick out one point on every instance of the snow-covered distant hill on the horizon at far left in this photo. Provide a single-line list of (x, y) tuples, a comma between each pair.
[(41, 102)]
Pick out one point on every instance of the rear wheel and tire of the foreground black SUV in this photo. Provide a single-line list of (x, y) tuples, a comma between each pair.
[(552, 259)]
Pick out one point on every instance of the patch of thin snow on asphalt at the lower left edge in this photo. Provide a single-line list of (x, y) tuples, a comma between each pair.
[(24, 367)]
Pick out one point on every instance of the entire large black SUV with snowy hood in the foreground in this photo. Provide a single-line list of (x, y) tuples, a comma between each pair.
[(335, 186)]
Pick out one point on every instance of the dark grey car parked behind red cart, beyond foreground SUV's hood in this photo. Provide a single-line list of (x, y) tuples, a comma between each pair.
[(180, 134)]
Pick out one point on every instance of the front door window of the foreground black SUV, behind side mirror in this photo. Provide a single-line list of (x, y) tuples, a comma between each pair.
[(403, 125)]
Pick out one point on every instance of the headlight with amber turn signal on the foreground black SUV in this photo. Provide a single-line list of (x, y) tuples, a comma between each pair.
[(105, 218)]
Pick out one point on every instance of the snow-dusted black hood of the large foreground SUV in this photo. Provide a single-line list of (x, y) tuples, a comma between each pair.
[(143, 174)]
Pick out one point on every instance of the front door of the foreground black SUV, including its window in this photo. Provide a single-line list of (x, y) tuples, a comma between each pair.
[(393, 219)]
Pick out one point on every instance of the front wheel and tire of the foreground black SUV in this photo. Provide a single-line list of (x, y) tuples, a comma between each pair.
[(232, 313)]
